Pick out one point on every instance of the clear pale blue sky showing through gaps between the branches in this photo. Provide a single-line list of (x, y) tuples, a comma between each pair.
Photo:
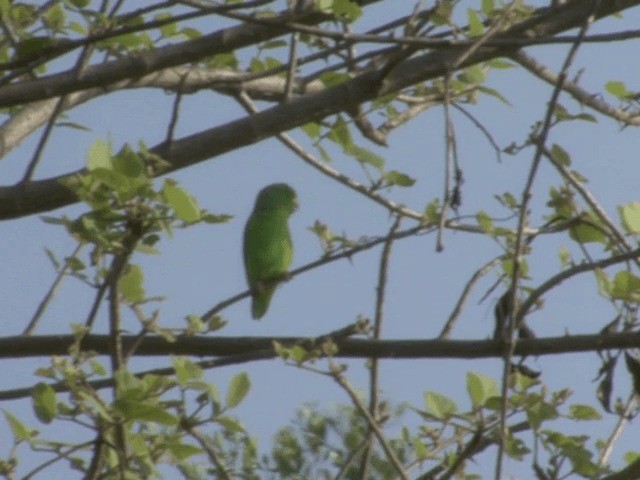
[(201, 266)]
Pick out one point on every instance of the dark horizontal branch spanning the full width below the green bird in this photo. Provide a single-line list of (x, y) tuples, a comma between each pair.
[(46, 345)]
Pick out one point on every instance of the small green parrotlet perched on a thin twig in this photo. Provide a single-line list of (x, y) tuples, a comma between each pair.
[(268, 250)]
